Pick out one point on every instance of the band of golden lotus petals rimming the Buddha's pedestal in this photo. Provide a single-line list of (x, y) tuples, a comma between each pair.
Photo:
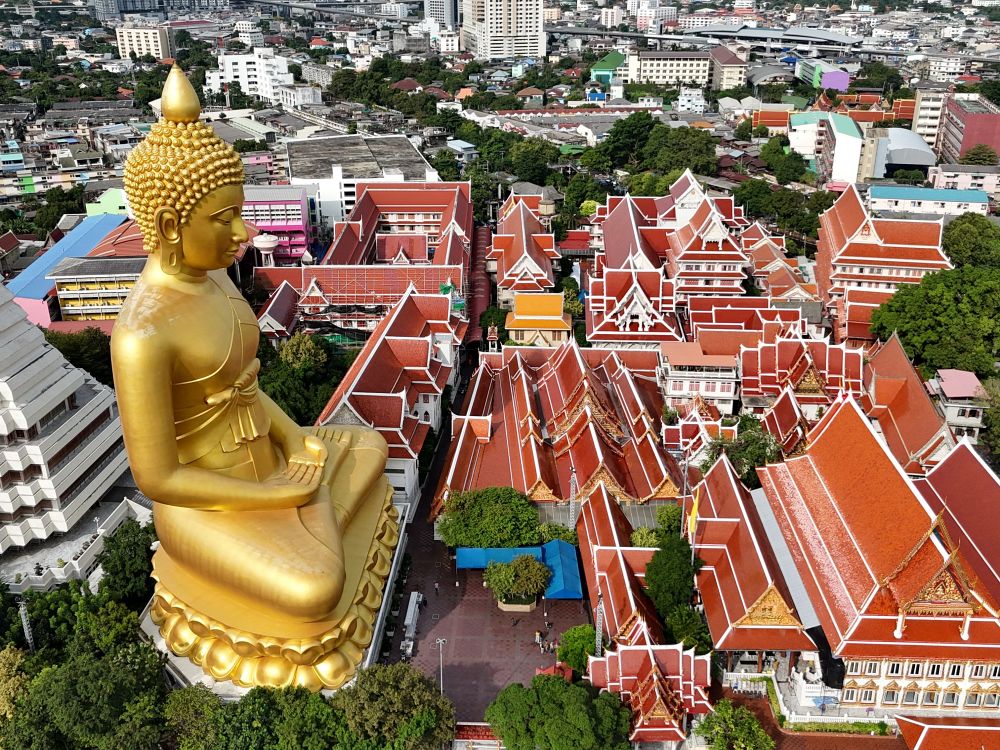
[(251, 660)]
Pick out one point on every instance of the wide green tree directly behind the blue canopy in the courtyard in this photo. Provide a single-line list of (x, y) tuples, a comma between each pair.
[(490, 517)]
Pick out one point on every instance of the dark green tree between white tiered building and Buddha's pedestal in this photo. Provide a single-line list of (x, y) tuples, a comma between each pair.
[(127, 564)]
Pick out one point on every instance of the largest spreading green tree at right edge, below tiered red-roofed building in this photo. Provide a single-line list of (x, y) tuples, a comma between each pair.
[(949, 319)]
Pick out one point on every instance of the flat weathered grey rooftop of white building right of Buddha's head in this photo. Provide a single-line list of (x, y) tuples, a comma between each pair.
[(361, 157)]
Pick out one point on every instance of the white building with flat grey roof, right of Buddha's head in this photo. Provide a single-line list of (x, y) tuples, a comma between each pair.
[(336, 164)]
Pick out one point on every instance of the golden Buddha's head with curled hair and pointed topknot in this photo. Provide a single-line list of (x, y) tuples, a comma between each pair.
[(184, 186)]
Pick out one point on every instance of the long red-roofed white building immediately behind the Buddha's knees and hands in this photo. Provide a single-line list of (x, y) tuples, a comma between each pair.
[(398, 383)]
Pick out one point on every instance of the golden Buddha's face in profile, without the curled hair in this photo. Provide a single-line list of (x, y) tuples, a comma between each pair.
[(214, 230)]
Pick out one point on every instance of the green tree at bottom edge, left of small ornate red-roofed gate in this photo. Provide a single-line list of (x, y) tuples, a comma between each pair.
[(552, 714)]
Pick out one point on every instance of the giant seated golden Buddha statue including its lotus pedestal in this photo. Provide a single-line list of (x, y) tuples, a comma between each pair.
[(275, 540)]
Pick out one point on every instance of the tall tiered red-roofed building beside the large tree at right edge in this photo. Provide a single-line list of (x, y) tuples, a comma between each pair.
[(862, 260)]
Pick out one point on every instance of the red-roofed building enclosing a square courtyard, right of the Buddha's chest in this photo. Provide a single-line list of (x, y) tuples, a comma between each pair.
[(398, 235)]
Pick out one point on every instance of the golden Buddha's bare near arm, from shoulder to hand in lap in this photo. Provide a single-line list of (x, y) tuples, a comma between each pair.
[(142, 381)]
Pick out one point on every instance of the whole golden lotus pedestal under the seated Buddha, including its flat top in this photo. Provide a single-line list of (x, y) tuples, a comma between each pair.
[(316, 655)]
